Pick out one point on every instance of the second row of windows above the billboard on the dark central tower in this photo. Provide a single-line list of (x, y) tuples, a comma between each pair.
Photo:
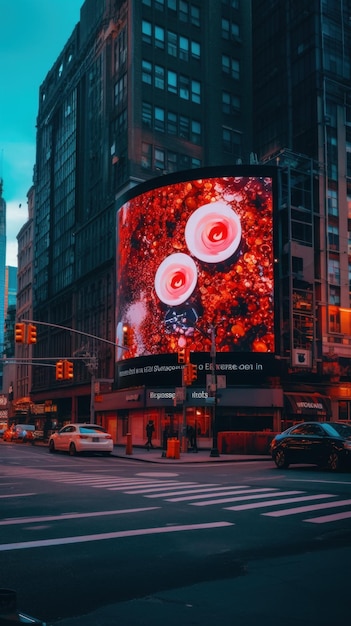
[(157, 118)]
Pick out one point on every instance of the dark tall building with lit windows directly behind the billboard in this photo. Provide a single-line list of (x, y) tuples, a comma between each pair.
[(141, 88)]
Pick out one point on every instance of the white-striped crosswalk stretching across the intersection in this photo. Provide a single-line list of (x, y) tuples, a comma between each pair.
[(271, 502)]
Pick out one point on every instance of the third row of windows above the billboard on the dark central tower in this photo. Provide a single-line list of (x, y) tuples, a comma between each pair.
[(180, 85)]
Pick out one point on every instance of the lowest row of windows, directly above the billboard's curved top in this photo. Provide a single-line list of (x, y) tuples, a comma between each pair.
[(153, 157)]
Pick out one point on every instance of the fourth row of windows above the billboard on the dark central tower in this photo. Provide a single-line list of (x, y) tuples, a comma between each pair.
[(176, 45)]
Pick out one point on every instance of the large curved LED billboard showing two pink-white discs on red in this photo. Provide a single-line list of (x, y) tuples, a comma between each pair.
[(195, 253)]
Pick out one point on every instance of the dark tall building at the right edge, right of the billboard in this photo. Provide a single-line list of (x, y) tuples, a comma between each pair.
[(302, 123)]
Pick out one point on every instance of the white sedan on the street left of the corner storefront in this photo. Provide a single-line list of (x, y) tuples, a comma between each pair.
[(77, 438)]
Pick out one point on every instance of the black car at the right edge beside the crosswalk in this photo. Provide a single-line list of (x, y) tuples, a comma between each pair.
[(327, 444)]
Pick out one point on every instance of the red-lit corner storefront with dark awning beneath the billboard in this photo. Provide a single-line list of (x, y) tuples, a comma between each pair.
[(128, 411)]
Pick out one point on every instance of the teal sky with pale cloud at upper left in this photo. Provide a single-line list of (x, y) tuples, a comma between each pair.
[(32, 35)]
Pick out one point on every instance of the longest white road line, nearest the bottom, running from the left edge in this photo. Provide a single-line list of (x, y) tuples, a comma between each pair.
[(44, 543)]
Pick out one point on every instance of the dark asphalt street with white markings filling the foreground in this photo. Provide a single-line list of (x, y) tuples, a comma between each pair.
[(144, 544)]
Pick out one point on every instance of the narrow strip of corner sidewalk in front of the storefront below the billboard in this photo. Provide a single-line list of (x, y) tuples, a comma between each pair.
[(157, 455)]
